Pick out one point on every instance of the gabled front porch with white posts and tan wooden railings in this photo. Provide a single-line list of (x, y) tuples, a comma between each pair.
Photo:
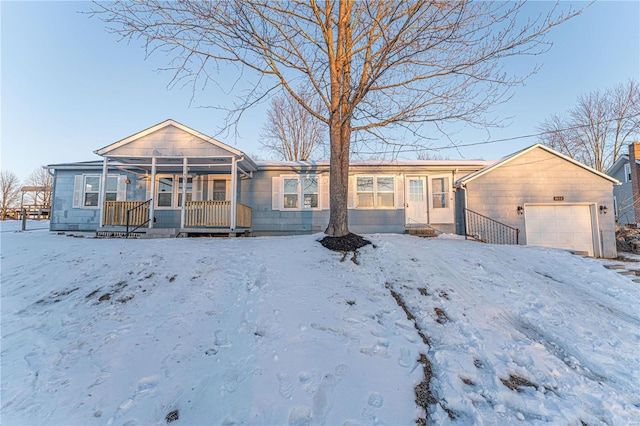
[(176, 178)]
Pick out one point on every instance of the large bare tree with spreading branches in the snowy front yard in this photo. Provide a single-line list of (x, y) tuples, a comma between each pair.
[(375, 65)]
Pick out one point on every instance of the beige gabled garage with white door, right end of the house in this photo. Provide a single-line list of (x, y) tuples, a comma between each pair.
[(548, 199)]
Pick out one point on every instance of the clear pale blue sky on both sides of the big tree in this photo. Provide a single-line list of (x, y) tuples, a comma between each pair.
[(68, 87)]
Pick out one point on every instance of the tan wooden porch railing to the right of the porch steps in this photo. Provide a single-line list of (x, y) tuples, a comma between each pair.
[(216, 214)]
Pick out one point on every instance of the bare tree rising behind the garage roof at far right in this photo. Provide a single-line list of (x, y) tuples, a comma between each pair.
[(596, 130)]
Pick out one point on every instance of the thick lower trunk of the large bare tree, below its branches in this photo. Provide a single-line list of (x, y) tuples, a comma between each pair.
[(340, 136)]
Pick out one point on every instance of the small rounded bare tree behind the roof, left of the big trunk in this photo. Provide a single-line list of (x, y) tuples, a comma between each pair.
[(290, 131)]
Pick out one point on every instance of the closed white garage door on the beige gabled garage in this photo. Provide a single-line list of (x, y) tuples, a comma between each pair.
[(560, 226)]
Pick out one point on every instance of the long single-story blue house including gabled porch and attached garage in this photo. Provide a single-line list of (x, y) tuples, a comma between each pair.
[(147, 176)]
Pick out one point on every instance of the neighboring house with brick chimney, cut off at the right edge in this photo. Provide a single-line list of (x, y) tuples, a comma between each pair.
[(627, 194)]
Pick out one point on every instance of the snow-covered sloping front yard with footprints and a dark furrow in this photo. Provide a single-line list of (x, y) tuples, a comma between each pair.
[(279, 331)]
